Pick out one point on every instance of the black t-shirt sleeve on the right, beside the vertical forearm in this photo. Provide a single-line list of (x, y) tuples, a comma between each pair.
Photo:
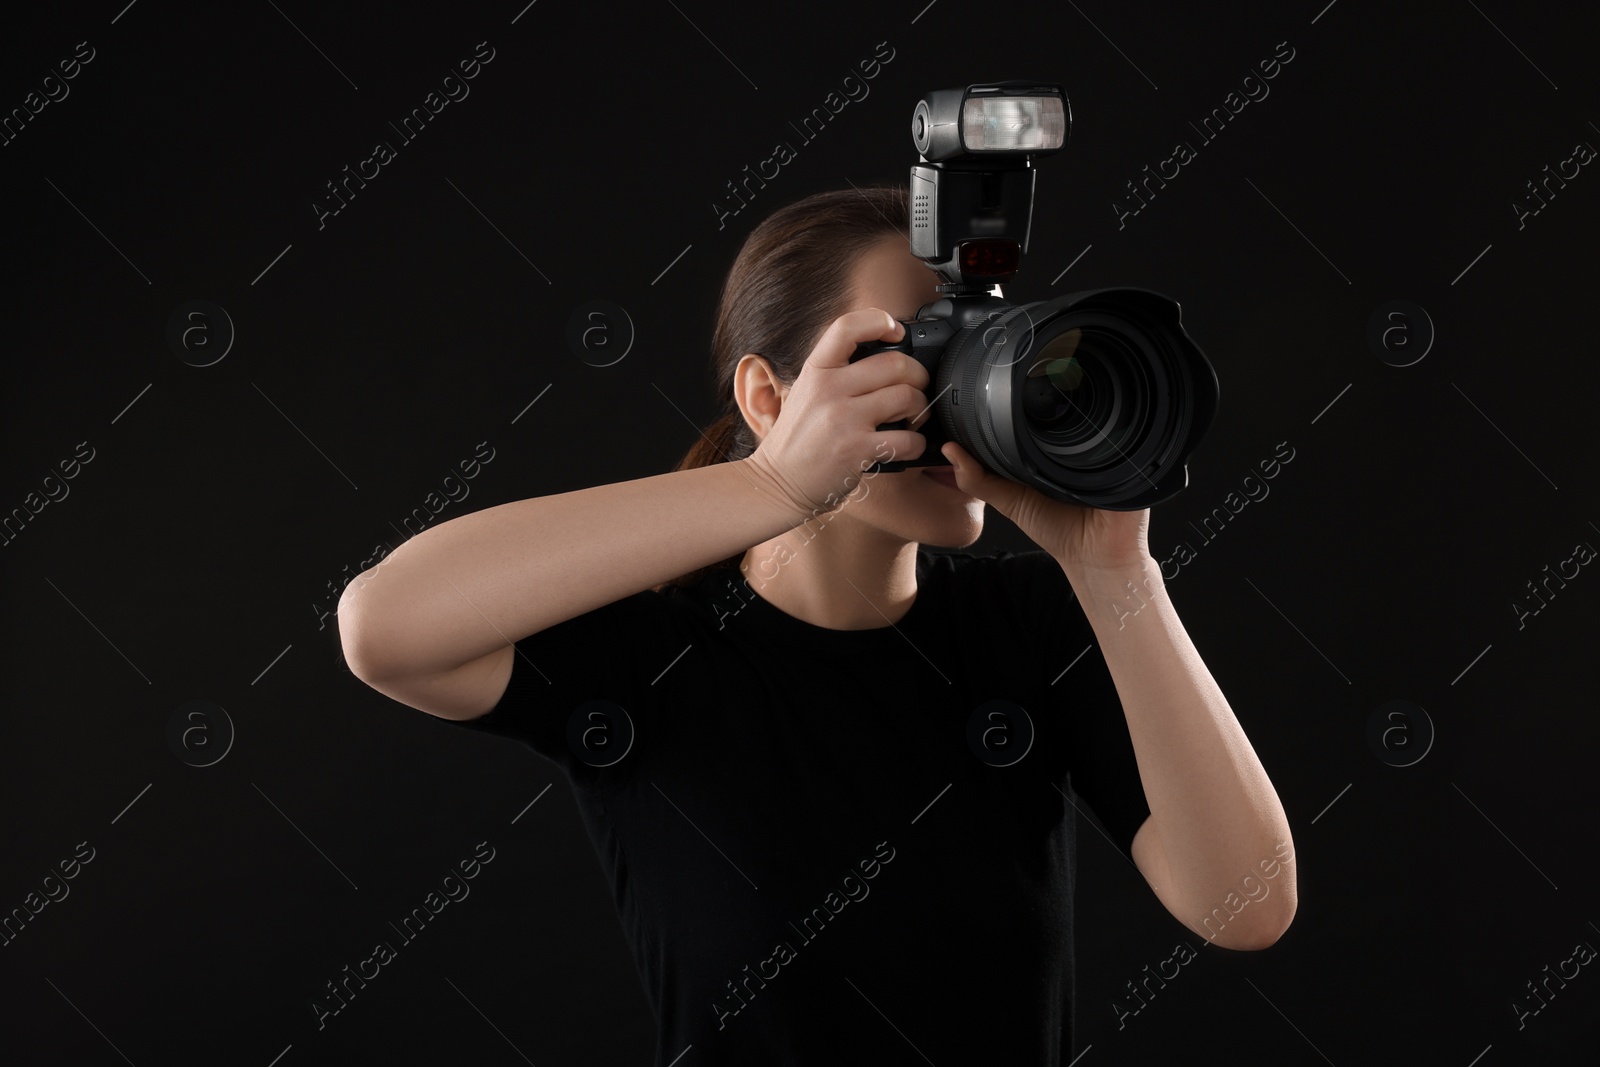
[(1078, 687)]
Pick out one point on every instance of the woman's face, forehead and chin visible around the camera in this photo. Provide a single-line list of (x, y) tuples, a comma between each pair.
[(908, 505)]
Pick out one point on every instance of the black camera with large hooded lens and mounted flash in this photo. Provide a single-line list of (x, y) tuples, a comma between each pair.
[(1097, 398)]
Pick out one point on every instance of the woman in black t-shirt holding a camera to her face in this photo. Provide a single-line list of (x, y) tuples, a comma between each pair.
[(828, 772)]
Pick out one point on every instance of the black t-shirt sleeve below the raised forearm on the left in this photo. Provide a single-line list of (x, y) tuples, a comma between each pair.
[(569, 681)]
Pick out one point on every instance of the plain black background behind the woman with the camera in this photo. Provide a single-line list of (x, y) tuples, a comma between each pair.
[(194, 554)]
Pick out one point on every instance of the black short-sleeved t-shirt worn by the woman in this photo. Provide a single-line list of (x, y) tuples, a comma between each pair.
[(838, 845)]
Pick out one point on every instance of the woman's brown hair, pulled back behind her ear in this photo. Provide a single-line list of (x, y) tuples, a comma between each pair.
[(785, 289)]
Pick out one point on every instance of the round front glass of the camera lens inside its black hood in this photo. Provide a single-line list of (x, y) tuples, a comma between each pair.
[(1086, 399)]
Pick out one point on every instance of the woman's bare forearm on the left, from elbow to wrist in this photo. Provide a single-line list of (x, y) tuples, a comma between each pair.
[(466, 588)]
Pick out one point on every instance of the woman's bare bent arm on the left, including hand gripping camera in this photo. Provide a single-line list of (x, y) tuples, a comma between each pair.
[(441, 613)]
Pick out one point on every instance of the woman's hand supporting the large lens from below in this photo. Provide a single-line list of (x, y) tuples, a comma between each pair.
[(1079, 538)]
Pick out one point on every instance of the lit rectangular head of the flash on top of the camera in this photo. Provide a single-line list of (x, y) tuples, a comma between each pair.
[(1001, 119)]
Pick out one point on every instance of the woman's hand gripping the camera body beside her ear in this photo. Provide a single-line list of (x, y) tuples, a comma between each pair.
[(826, 431)]
